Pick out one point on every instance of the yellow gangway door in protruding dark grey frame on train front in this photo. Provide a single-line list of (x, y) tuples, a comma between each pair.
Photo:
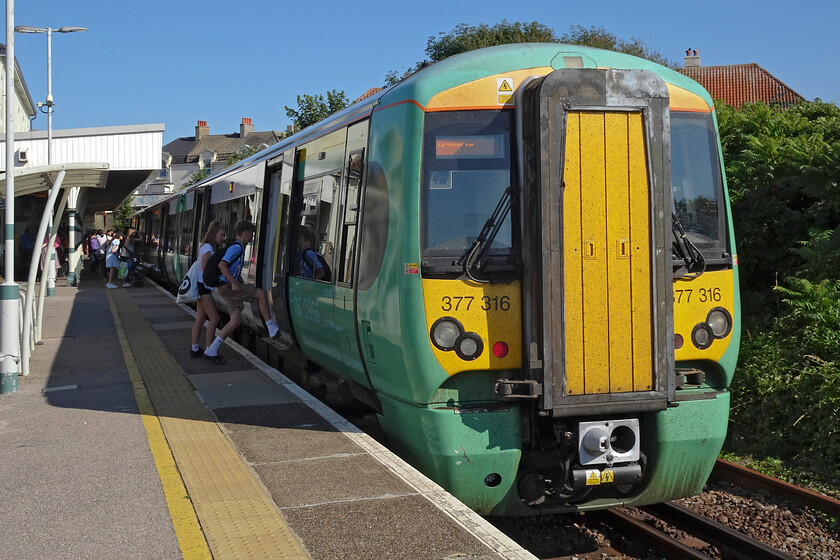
[(598, 304)]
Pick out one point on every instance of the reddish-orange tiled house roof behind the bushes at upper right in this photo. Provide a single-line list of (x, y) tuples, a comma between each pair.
[(737, 84)]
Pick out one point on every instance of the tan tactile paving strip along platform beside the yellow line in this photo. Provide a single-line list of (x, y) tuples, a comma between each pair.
[(237, 516)]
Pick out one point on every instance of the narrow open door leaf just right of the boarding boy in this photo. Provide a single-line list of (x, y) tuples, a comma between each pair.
[(275, 241)]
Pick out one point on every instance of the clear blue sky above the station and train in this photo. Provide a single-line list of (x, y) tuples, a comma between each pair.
[(176, 62)]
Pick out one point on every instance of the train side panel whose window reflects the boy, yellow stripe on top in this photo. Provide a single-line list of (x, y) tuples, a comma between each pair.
[(319, 169)]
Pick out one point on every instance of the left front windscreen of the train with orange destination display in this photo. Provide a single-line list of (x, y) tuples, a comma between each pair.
[(467, 168)]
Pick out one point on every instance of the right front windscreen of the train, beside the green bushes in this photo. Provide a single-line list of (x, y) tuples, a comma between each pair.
[(696, 178)]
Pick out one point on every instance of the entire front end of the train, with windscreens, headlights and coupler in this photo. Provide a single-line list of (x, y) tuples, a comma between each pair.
[(585, 406)]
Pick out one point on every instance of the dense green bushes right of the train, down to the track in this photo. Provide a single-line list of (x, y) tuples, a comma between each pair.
[(783, 168)]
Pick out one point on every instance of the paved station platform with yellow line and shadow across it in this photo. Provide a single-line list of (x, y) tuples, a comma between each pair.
[(119, 445)]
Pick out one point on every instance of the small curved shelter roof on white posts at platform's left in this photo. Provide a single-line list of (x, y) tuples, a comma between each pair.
[(33, 180)]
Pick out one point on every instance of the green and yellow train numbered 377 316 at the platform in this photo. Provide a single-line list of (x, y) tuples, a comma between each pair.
[(533, 274)]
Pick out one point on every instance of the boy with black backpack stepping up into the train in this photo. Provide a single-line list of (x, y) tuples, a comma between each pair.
[(235, 292)]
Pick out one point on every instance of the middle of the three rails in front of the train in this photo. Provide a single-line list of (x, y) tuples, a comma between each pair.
[(736, 543)]
